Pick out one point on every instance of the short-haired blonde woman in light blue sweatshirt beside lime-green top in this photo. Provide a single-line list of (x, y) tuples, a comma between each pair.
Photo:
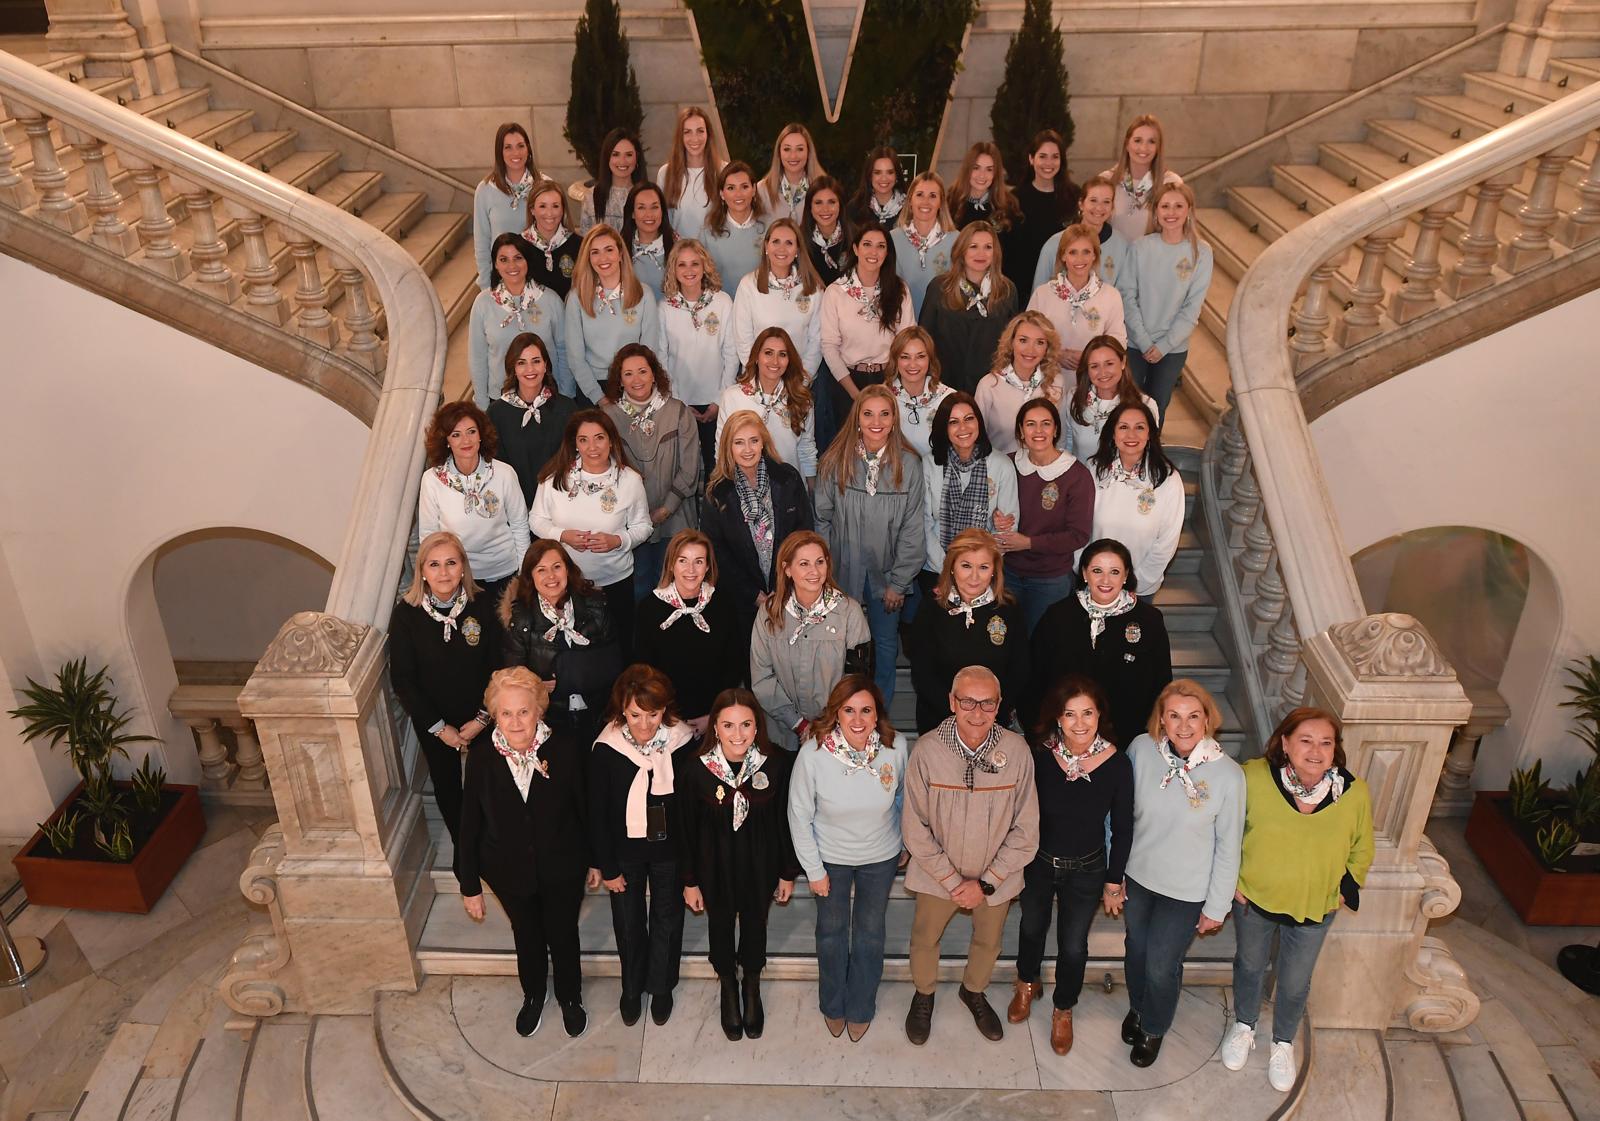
[(1183, 866)]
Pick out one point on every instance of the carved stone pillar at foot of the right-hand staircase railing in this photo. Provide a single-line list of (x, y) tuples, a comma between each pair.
[(1401, 703)]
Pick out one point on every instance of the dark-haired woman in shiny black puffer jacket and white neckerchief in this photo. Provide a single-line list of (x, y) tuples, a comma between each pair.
[(559, 628)]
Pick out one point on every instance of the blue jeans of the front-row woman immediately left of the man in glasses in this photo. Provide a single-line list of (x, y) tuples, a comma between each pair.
[(850, 939)]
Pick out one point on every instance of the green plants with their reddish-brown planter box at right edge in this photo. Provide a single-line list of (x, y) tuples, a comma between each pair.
[(1543, 847)]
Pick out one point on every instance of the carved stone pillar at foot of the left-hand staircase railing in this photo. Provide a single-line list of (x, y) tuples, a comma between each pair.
[(348, 864)]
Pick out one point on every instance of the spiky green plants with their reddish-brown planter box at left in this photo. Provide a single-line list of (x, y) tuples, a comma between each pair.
[(113, 845)]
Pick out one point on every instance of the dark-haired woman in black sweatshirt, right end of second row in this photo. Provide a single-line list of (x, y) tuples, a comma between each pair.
[(1110, 636)]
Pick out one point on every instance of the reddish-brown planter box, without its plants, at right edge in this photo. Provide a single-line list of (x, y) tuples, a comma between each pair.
[(1540, 896)]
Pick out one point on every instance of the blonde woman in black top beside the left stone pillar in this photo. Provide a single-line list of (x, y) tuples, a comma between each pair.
[(444, 644)]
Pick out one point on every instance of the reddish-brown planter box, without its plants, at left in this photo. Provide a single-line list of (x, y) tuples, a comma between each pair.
[(110, 887)]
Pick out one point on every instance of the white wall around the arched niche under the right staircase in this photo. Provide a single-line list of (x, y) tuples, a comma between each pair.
[(1503, 436)]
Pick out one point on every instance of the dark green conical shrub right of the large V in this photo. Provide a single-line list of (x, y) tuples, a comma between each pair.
[(1033, 94)]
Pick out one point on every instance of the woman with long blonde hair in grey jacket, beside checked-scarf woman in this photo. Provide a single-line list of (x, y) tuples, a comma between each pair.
[(870, 508)]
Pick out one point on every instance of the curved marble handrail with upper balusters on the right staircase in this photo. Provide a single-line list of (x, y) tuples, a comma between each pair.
[(1266, 349)]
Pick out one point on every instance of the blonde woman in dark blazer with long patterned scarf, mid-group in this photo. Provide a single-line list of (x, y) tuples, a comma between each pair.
[(754, 501)]
